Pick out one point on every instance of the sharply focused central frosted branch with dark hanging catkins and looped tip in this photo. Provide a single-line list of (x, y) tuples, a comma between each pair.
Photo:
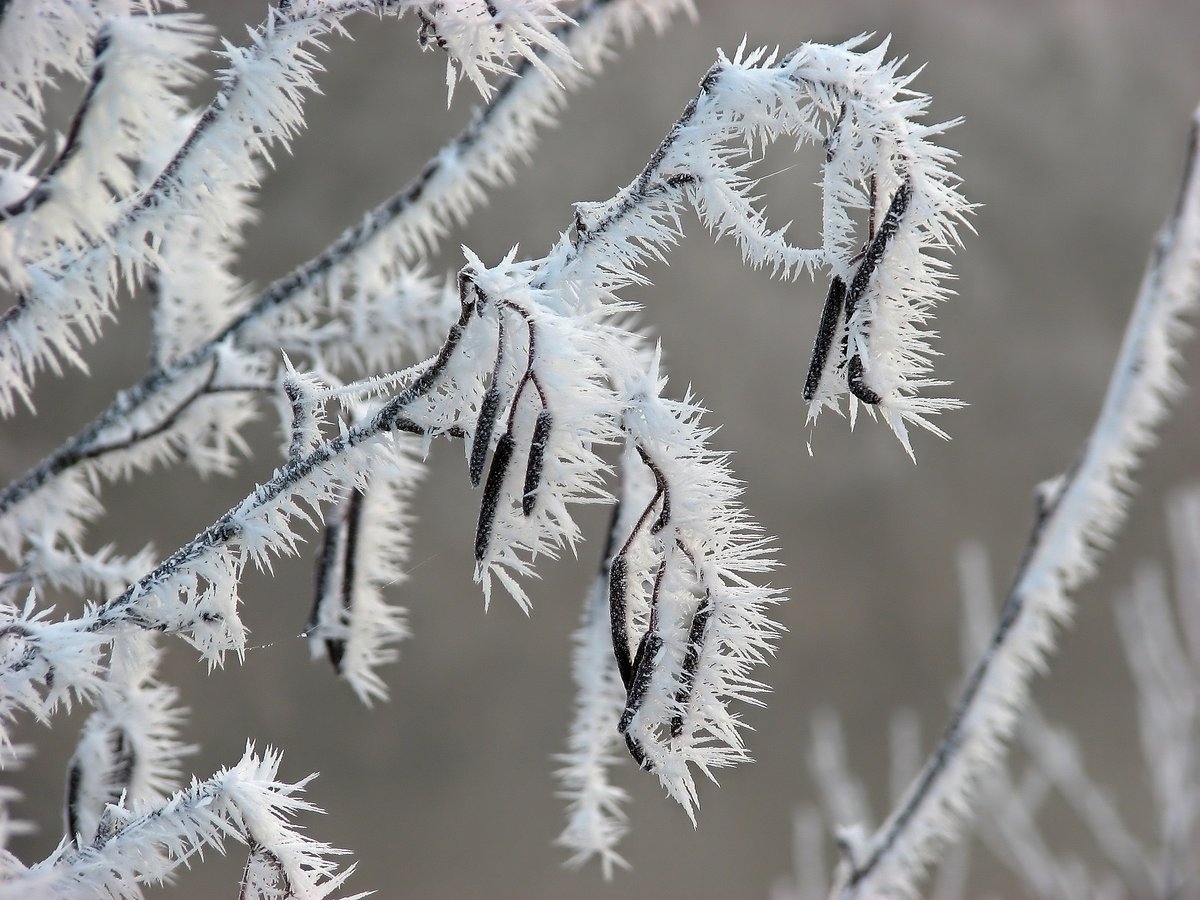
[(541, 371)]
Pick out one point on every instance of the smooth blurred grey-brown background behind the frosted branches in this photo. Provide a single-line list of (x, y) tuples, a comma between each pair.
[(1076, 122)]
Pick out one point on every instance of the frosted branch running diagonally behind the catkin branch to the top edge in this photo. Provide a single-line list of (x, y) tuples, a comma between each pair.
[(359, 303)]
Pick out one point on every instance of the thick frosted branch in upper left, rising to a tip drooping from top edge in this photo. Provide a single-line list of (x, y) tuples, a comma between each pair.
[(67, 291)]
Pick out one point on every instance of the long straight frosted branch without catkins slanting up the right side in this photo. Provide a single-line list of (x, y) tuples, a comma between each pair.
[(1079, 517)]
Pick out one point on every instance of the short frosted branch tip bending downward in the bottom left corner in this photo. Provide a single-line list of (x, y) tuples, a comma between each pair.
[(140, 847)]
